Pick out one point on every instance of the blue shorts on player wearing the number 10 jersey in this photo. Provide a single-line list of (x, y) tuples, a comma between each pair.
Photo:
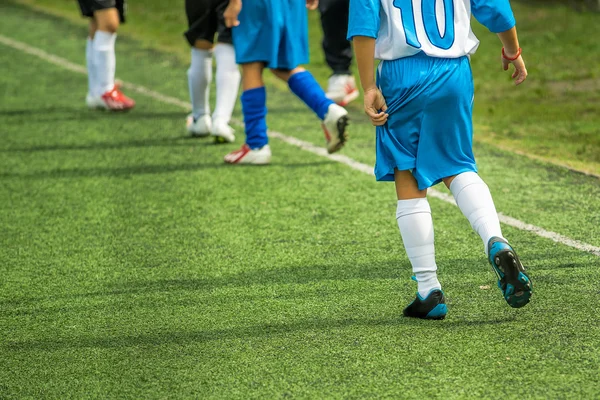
[(429, 130)]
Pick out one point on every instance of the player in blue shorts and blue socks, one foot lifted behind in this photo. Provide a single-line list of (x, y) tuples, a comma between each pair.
[(274, 34)]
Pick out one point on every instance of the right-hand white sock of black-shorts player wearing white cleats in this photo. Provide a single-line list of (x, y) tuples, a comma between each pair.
[(228, 81)]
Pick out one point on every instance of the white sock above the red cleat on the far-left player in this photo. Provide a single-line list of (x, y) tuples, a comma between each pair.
[(104, 60)]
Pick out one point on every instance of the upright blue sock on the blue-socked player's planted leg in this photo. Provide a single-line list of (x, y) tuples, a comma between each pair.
[(254, 108)]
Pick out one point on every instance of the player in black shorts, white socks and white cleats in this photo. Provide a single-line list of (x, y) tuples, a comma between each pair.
[(205, 18)]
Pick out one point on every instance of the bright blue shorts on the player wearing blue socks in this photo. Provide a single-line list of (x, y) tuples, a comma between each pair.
[(272, 31)]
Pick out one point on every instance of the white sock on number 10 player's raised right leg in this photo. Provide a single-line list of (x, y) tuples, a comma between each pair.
[(475, 201)]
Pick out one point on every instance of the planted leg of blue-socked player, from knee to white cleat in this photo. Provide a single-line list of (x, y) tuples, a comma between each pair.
[(256, 150)]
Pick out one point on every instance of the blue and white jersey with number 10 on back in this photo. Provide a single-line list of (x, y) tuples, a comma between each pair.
[(439, 28)]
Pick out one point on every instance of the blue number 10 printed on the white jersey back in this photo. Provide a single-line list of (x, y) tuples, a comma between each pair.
[(430, 22)]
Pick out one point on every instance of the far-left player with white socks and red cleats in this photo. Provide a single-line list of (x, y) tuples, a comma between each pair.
[(105, 17)]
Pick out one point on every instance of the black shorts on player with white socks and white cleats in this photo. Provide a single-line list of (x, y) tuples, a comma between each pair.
[(205, 19)]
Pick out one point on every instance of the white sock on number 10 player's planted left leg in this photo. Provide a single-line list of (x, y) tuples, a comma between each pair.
[(416, 228)]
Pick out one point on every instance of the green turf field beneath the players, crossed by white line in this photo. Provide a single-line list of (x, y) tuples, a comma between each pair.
[(135, 264)]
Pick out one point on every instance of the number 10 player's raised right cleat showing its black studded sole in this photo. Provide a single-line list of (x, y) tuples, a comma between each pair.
[(514, 283)]
